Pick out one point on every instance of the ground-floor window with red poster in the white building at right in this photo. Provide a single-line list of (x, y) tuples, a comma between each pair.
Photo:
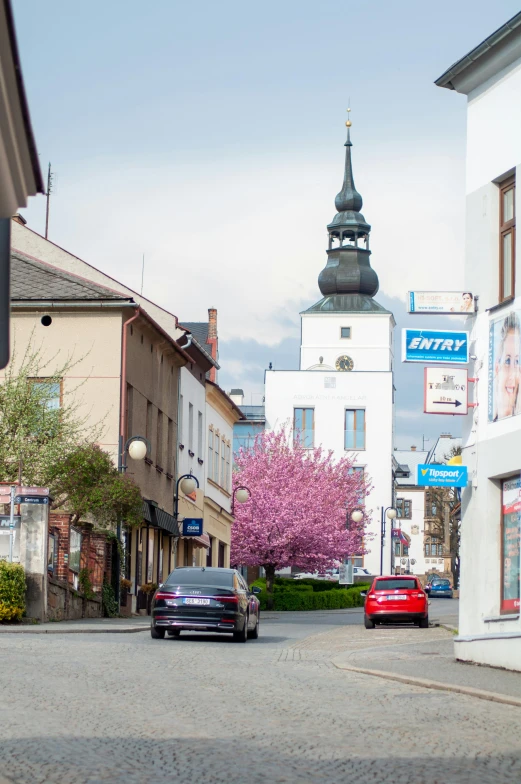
[(510, 541)]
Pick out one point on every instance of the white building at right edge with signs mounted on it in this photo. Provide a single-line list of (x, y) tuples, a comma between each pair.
[(490, 623)]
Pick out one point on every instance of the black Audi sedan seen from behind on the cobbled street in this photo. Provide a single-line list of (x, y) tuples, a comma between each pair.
[(205, 599)]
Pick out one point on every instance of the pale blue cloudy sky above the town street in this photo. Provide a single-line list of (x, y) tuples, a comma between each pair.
[(209, 137)]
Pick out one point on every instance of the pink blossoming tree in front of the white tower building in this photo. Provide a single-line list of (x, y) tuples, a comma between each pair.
[(298, 513)]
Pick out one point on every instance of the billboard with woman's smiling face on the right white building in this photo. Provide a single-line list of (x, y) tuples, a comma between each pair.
[(504, 375)]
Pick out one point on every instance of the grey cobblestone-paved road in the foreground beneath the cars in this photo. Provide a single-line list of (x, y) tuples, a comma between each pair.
[(125, 708)]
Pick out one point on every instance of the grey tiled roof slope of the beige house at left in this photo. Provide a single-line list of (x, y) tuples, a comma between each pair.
[(35, 280)]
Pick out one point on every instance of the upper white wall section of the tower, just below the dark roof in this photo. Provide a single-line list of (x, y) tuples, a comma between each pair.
[(368, 345)]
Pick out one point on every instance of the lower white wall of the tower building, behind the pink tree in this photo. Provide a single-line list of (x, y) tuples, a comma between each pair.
[(287, 390)]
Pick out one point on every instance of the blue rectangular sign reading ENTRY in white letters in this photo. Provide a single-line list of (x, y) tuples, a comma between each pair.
[(435, 346)]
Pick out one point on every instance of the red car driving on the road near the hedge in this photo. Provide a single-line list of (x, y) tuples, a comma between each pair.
[(396, 599)]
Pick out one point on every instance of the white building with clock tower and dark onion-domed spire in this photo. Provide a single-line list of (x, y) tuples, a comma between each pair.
[(342, 396)]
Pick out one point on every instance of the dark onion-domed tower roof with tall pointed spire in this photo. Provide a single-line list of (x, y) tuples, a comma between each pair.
[(348, 281)]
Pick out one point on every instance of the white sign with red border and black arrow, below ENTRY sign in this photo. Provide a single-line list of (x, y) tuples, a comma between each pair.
[(446, 391)]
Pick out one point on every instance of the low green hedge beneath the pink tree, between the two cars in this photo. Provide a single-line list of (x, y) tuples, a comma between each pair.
[(292, 595)]
